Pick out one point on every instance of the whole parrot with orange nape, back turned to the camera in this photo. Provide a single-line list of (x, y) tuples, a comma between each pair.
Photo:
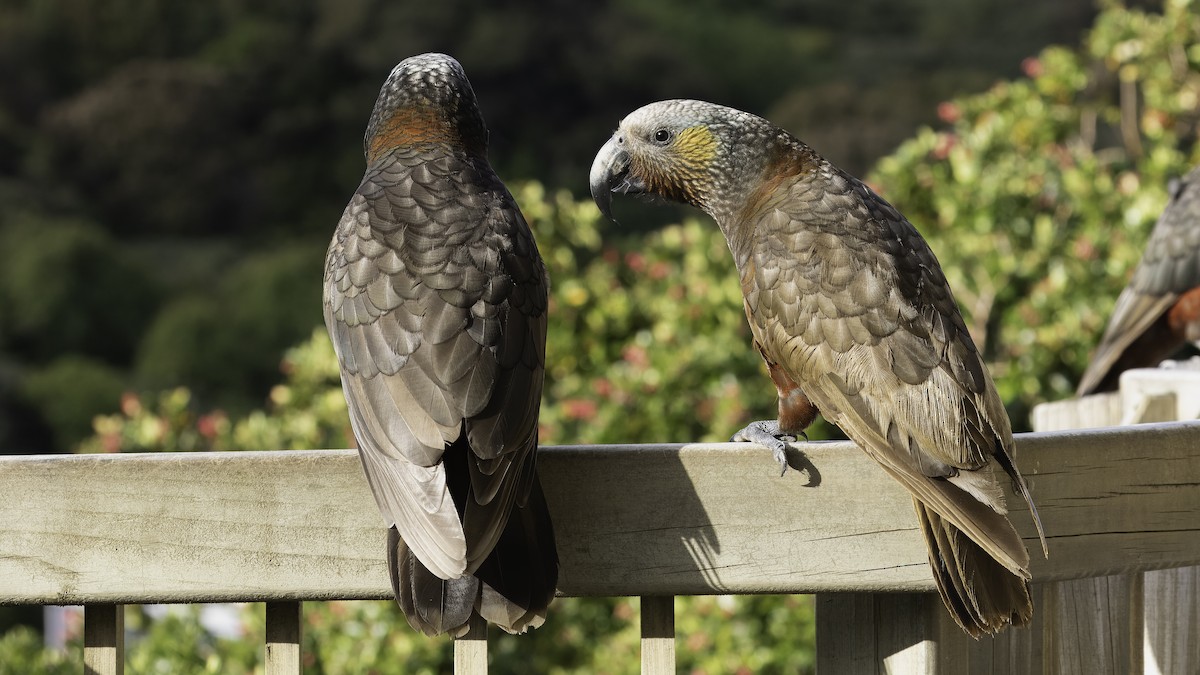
[(435, 297)]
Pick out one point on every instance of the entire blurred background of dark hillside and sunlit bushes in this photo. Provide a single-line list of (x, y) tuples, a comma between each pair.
[(171, 175)]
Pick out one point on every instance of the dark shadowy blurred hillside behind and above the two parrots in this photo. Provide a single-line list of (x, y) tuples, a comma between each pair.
[(164, 169)]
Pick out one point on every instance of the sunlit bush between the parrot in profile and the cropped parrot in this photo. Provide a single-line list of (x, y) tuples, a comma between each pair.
[(1039, 195)]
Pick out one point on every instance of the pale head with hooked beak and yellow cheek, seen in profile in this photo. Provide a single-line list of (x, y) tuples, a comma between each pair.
[(682, 151)]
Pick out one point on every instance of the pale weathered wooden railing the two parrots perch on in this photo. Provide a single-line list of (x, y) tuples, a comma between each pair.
[(632, 521)]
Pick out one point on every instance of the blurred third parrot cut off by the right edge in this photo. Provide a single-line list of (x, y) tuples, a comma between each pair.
[(1160, 312)]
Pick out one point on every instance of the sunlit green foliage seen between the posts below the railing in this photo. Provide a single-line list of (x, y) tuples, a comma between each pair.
[(719, 635)]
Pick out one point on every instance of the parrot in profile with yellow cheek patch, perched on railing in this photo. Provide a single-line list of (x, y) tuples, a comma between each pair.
[(851, 313)]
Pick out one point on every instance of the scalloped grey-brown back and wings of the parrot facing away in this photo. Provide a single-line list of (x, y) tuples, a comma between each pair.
[(436, 301)]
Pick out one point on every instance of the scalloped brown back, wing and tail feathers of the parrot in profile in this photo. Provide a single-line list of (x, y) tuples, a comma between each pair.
[(845, 295)]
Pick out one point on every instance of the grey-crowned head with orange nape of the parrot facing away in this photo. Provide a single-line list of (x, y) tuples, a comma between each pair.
[(427, 99)]
